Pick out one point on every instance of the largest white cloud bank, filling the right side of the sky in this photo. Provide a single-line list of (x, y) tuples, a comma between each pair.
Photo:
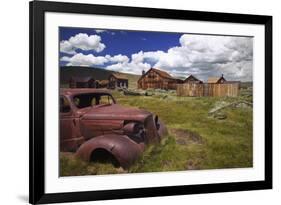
[(204, 56)]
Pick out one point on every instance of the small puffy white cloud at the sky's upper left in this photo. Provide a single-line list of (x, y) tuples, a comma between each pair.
[(82, 41)]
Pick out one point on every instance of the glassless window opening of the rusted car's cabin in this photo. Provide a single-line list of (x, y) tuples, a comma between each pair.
[(92, 99)]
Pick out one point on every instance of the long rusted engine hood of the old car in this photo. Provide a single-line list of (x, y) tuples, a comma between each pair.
[(113, 112)]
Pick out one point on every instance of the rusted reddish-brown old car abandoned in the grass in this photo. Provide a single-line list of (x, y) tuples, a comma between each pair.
[(94, 127)]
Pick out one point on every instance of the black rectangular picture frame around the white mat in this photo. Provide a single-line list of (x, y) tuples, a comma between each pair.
[(37, 11)]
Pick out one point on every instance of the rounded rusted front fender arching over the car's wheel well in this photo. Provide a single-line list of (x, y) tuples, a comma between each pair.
[(125, 150)]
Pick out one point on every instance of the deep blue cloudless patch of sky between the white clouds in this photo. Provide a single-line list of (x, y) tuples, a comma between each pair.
[(121, 41)]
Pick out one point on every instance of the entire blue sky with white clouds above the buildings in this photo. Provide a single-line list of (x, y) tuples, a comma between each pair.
[(176, 53)]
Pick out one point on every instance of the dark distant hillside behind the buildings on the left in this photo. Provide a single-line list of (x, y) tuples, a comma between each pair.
[(66, 72)]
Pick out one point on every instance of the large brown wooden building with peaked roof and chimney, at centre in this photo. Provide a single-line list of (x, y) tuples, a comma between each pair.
[(157, 79)]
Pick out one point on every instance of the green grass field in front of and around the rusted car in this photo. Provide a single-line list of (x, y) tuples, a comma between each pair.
[(196, 140)]
